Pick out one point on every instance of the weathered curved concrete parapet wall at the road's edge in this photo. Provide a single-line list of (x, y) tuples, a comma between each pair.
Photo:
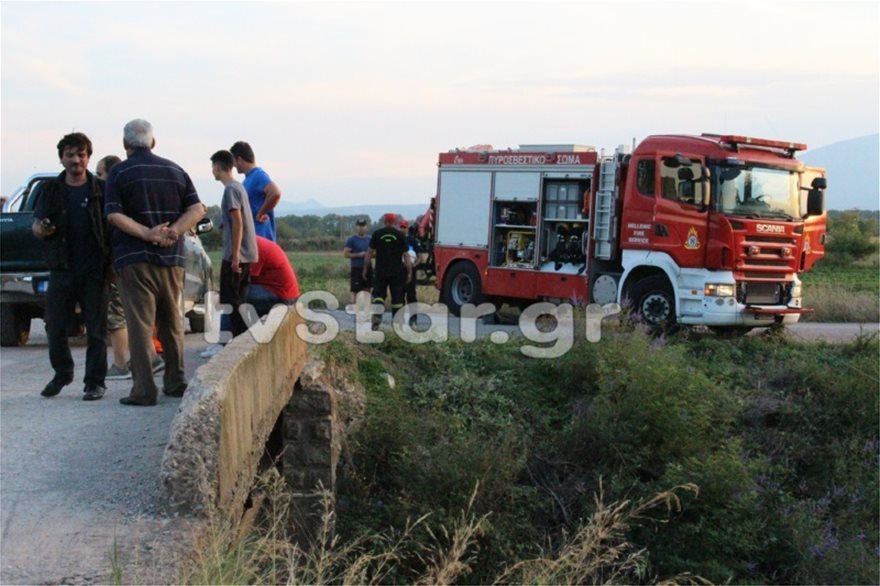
[(231, 406)]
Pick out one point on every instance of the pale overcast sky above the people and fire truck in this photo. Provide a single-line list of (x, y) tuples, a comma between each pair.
[(351, 102)]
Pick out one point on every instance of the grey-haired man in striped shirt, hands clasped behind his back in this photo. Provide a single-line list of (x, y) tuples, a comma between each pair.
[(150, 203)]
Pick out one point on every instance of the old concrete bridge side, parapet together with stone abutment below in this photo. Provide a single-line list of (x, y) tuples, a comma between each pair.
[(251, 402)]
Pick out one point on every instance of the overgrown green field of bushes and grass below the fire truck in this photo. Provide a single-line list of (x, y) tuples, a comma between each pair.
[(635, 460)]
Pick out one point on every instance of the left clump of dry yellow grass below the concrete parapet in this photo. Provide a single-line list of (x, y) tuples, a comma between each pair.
[(265, 555)]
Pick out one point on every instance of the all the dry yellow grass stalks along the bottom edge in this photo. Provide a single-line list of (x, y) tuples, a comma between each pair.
[(597, 553)]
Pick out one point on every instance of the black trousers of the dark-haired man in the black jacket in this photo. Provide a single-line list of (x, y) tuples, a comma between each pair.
[(65, 290)]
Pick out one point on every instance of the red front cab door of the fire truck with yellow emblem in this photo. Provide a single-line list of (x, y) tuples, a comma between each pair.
[(680, 216)]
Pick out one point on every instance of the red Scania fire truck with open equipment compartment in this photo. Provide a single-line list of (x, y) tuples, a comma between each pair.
[(708, 229)]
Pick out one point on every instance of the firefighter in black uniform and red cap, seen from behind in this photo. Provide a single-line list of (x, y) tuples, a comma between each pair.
[(388, 245)]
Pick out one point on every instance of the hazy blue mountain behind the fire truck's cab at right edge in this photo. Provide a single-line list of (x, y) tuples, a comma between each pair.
[(853, 172)]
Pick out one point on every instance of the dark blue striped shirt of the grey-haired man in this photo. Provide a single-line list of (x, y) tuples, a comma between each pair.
[(150, 190)]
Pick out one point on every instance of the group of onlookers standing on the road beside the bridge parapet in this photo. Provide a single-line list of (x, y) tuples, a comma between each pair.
[(118, 237)]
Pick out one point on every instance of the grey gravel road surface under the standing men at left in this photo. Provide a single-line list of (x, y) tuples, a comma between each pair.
[(77, 476)]
